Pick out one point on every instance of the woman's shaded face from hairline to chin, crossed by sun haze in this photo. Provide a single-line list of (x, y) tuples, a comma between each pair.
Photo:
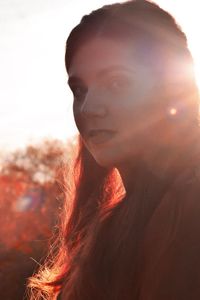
[(113, 96)]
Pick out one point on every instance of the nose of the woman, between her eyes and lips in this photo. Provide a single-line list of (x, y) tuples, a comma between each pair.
[(93, 104)]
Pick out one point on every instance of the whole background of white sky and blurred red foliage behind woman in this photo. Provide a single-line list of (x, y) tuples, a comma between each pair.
[(37, 131)]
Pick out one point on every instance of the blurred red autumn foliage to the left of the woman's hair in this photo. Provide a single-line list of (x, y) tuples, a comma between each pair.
[(31, 197)]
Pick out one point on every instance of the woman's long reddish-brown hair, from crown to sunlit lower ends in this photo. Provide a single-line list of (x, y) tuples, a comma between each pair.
[(96, 255)]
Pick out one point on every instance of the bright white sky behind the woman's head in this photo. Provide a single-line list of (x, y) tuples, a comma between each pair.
[(35, 101)]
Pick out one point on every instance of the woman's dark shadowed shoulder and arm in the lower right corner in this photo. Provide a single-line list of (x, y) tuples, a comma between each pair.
[(170, 263)]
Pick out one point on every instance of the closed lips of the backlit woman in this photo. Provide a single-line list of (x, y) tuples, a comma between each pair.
[(99, 136)]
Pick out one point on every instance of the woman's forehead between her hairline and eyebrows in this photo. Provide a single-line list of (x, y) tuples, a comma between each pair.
[(99, 54)]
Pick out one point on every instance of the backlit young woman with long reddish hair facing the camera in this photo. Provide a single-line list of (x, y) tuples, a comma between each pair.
[(132, 229)]
